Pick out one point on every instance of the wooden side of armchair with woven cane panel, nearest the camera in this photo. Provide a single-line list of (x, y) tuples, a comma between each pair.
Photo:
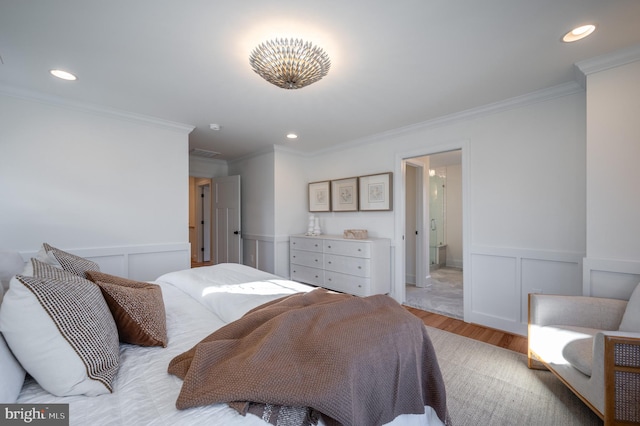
[(622, 378)]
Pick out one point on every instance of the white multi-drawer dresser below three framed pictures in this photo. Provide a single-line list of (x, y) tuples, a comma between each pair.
[(359, 267)]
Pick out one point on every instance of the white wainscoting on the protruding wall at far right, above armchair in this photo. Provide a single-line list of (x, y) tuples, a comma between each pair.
[(610, 278)]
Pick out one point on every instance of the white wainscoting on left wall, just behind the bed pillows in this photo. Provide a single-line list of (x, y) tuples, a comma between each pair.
[(144, 263)]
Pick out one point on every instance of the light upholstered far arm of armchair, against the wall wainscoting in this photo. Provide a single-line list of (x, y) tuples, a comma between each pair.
[(578, 311)]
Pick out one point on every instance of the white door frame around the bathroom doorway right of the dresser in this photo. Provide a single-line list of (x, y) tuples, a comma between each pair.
[(398, 291)]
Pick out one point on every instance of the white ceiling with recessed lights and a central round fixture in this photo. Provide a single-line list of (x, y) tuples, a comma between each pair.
[(394, 64)]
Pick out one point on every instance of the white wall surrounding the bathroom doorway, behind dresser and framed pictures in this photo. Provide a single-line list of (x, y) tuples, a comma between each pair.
[(525, 203)]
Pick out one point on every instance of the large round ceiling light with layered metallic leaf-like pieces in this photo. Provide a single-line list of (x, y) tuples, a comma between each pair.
[(289, 63)]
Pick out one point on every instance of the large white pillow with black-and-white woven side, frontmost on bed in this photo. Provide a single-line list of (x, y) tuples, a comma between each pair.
[(61, 330)]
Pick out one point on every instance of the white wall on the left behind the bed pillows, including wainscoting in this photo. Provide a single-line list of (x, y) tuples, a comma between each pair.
[(103, 184)]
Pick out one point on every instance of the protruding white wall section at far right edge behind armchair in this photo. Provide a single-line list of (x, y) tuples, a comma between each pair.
[(612, 264)]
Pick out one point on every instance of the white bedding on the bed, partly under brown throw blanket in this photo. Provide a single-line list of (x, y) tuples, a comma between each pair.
[(197, 302)]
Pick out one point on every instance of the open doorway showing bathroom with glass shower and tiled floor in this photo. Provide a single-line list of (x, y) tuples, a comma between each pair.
[(433, 229)]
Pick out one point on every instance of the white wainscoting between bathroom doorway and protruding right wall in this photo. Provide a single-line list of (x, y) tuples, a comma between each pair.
[(501, 279)]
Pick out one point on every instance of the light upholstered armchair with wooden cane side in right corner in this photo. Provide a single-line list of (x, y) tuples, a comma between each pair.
[(593, 346)]
